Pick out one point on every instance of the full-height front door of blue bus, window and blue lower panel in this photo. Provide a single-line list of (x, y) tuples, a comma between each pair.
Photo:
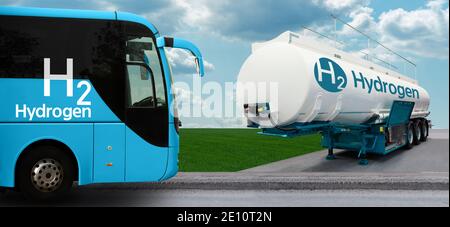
[(147, 114)]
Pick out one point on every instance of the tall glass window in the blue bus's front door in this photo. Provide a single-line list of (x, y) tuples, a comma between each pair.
[(149, 87)]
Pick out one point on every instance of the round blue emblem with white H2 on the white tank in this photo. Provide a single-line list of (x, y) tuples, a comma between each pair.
[(329, 75)]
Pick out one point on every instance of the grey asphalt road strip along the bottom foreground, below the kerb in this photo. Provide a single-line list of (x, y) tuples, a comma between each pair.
[(227, 198)]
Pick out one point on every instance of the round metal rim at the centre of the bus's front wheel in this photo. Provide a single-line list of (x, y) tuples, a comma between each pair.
[(47, 175)]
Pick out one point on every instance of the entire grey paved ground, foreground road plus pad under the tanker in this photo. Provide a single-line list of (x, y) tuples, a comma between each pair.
[(398, 170)]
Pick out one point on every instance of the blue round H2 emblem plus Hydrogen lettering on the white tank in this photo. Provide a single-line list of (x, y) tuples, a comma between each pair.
[(331, 77)]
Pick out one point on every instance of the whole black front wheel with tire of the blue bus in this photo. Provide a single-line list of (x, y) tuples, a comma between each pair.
[(45, 173)]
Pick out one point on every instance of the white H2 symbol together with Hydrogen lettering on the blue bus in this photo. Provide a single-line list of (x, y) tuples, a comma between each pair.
[(67, 113)]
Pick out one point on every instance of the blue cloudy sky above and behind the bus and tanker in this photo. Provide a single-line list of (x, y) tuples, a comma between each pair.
[(225, 29)]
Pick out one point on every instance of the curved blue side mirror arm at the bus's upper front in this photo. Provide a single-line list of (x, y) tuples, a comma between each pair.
[(186, 45)]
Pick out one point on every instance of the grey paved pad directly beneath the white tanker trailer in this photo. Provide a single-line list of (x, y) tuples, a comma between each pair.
[(429, 157)]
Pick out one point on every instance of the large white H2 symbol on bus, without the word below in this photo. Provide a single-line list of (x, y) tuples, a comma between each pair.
[(69, 82)]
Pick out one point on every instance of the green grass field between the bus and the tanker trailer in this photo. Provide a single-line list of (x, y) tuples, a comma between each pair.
[(230, 150)]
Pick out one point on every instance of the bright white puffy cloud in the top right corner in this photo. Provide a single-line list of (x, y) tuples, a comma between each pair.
[(422, 32)]
